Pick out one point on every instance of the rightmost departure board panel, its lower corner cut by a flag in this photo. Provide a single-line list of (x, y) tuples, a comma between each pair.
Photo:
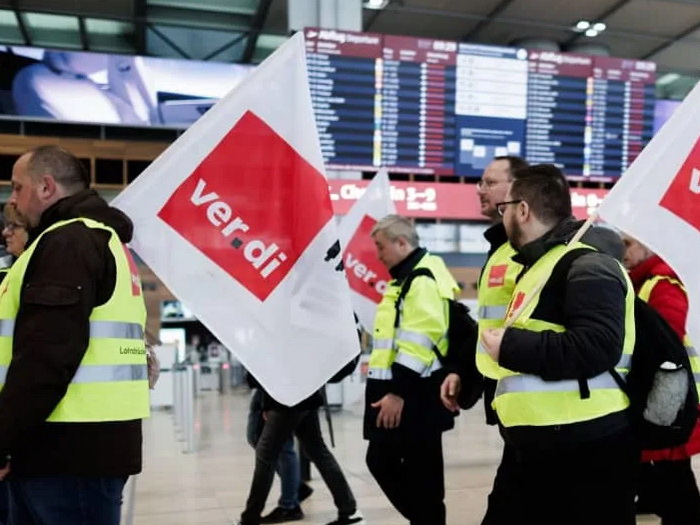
[(622, 114)]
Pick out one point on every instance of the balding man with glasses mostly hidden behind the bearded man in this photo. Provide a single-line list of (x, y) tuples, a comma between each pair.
[(495, 287)]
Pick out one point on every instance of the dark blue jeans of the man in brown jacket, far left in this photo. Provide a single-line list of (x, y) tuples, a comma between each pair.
[(66, 500)]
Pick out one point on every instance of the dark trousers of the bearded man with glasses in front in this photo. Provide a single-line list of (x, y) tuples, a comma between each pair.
[(578, 484)]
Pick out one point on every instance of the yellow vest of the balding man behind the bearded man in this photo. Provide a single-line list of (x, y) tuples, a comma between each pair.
[(495, 289)]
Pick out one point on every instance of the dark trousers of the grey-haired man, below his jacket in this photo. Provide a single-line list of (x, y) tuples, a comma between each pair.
[(410, 471)]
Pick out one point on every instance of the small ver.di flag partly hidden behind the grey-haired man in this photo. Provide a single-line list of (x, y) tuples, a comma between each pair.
[(366, 274)]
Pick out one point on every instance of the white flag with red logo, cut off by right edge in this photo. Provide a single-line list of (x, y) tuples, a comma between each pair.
[(657, 200)]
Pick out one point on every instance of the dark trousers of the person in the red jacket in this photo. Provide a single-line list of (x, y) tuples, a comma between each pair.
[(669, 489)]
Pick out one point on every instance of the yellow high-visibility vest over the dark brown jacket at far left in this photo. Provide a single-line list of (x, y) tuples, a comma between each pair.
[(111, 382)]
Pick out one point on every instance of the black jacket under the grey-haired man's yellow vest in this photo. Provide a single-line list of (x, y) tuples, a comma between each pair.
[(423, 413)]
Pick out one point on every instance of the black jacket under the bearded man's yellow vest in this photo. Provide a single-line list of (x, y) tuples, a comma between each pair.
[(592, 308)]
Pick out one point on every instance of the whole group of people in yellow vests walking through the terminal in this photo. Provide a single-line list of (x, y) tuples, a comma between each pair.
[(71, 402)]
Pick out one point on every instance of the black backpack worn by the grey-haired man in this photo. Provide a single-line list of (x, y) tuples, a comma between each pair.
[(462, 337)]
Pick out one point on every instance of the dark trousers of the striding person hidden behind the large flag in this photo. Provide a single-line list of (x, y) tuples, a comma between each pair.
[(280, 425)]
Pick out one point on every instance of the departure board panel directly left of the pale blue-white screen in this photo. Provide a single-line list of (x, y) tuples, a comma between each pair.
[(418, 99)]
